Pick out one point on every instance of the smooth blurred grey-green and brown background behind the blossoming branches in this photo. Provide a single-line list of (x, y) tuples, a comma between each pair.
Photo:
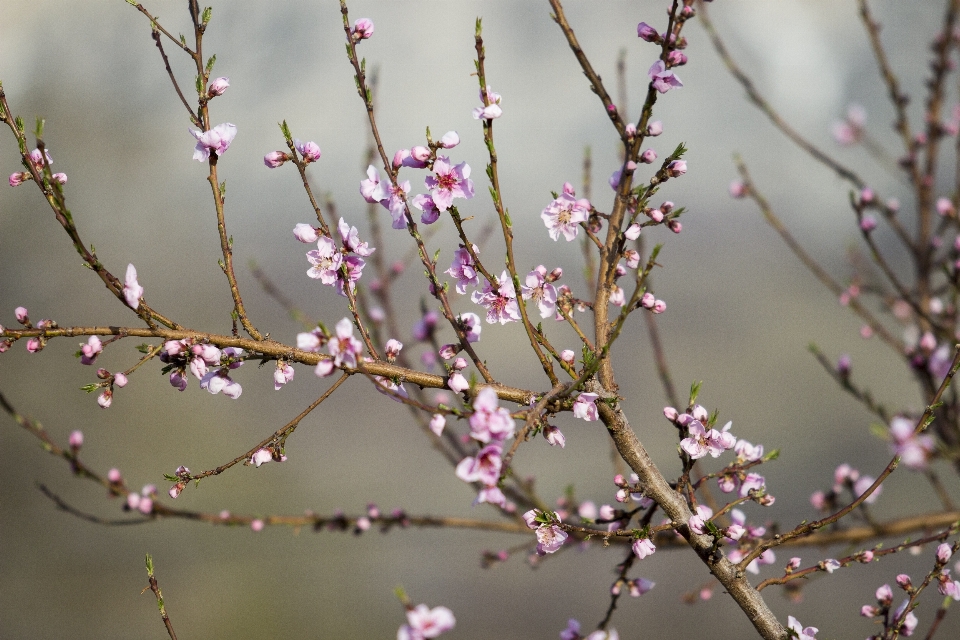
[(740, 308)]
